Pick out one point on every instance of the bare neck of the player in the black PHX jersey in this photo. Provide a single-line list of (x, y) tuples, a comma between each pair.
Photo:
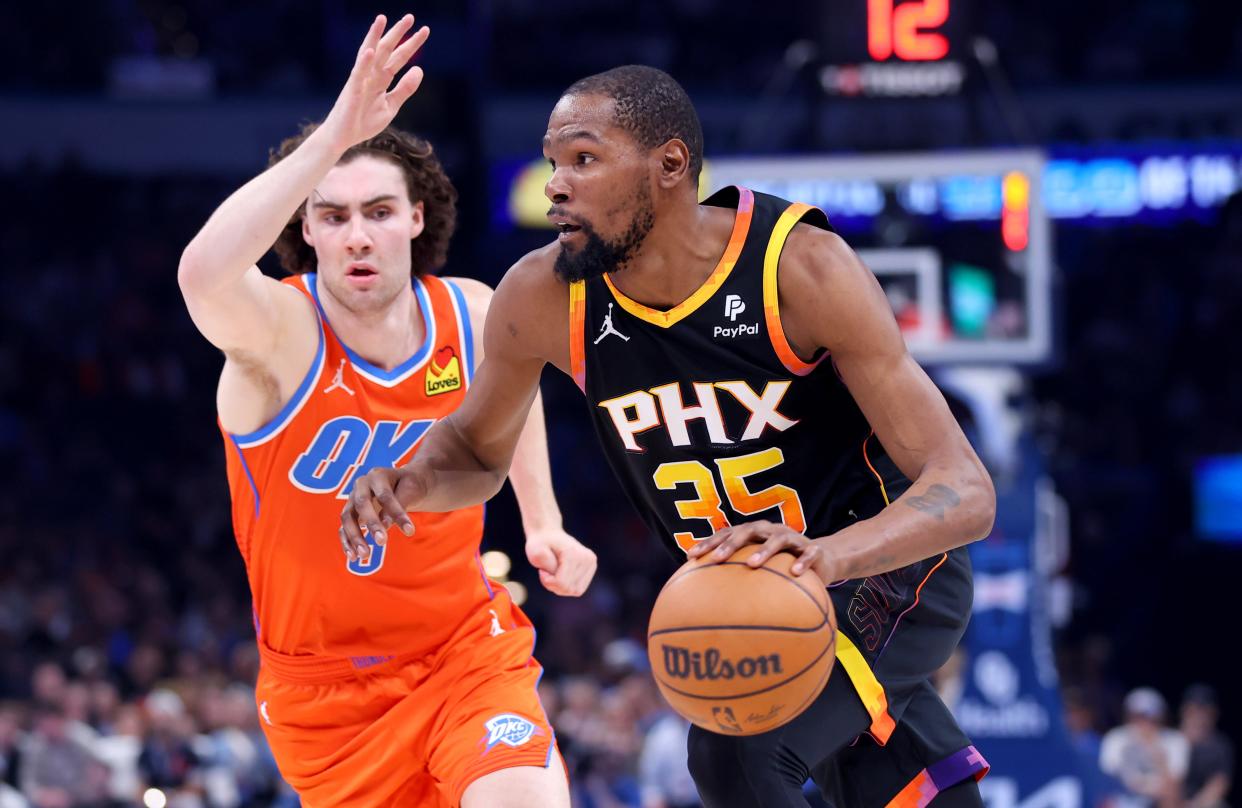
[(682, 250)]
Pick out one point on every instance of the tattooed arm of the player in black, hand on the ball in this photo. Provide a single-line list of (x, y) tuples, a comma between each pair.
[(830, 301)]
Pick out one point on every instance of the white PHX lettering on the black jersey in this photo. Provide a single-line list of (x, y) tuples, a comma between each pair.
[(675, 415)]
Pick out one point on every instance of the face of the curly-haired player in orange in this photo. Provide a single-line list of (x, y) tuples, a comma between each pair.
[(361, 222)]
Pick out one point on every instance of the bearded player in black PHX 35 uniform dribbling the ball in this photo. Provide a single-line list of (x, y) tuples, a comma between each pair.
[(750, 385)]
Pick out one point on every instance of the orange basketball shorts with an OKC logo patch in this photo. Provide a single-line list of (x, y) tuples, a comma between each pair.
[(409, 732)]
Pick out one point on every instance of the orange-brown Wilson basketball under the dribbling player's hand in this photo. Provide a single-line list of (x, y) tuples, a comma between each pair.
[(740, 651)]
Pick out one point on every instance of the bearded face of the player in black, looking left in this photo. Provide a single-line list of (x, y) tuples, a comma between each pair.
[(601, 188)]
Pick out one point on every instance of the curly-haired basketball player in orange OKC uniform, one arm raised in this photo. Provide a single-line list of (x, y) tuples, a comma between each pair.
[(399, 676)]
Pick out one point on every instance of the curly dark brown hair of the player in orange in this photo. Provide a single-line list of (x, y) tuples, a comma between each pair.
[(424, 178)]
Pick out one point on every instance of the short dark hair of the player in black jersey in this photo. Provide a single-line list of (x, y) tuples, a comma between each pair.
[(649, 105)]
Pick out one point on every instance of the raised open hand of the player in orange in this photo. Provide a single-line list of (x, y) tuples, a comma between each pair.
[(366, 105)]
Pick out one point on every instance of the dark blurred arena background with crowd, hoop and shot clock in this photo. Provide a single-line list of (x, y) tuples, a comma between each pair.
[(1051, 195)]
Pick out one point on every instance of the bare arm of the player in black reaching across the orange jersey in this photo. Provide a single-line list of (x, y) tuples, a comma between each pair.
[(465, 459)]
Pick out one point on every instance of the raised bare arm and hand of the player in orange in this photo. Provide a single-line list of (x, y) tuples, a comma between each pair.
[(230, 301)]
